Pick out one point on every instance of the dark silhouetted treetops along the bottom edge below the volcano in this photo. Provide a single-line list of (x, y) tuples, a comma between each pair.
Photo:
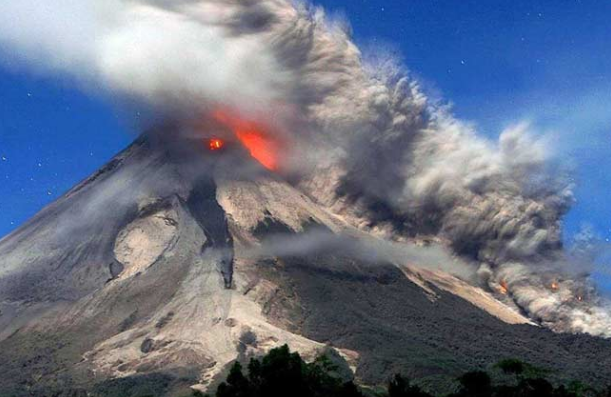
[(282, 373)]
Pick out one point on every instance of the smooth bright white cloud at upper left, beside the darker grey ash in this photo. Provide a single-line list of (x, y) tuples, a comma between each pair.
[(169, 55)]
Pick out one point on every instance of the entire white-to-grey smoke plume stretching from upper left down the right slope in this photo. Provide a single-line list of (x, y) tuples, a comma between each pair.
[(364, 139)]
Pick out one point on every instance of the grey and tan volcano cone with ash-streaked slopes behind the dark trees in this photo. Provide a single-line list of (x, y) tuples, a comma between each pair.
[(142, 278)]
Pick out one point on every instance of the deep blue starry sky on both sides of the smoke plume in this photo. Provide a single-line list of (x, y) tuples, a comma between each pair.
[(498, 62)]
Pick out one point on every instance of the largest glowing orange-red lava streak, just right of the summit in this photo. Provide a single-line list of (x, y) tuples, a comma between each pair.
[(253, 136)]
